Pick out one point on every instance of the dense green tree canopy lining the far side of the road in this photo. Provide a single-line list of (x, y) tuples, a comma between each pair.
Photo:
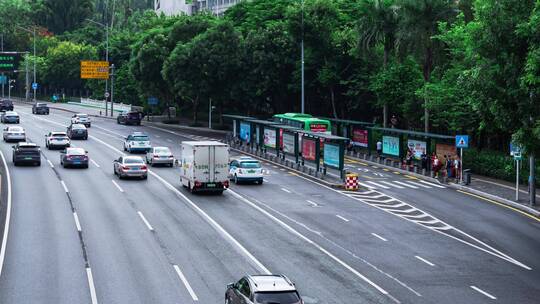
[(473, 65)]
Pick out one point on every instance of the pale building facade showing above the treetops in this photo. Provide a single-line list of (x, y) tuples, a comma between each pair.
[(189, 7)]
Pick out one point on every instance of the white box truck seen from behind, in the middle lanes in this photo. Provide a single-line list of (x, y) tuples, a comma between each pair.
[(204, 166)]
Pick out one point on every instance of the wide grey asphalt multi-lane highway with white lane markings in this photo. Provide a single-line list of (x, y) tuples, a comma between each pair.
[(83, 236)]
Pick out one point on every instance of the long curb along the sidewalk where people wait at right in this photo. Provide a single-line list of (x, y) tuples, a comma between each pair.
[(498, 199)]
